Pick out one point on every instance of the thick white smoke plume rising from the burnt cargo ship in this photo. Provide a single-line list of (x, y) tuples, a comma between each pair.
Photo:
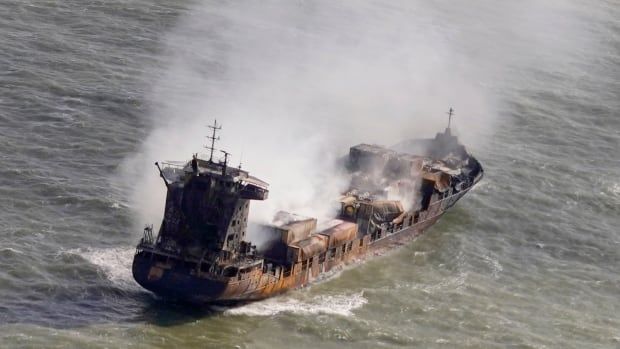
[(294, 85)]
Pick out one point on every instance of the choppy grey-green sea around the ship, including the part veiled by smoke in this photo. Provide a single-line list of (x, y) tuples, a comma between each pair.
[(93, 92)]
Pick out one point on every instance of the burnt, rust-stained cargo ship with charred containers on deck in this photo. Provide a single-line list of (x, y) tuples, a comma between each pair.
[(202, 254)]
